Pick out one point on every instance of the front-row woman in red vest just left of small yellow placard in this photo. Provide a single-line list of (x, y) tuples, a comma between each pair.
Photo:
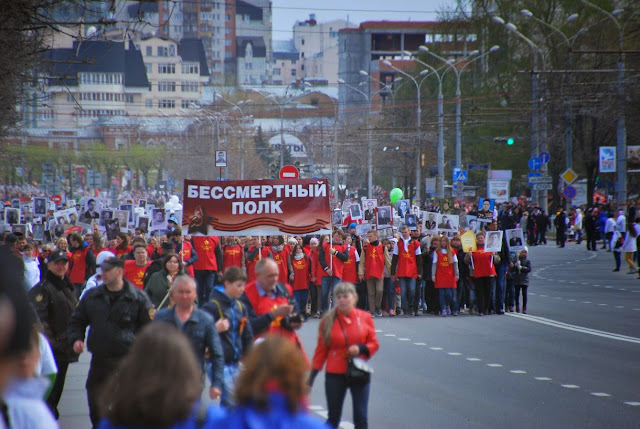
[(445, 275)]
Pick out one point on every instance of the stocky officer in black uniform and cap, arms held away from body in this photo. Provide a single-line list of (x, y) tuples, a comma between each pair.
[(115, 310)]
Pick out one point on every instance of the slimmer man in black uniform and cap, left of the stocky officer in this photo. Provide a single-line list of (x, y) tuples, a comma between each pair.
[(54, 299)]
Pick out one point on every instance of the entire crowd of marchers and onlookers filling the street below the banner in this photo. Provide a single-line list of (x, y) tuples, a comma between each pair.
[(226, 294)]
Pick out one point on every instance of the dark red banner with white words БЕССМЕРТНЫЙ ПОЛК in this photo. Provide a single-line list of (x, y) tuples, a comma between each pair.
[(256, 207)]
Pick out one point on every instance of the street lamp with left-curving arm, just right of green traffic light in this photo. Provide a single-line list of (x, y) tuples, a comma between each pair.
[(535, 141)]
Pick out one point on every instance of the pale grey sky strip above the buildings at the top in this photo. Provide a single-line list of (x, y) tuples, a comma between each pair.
[(287, 12)]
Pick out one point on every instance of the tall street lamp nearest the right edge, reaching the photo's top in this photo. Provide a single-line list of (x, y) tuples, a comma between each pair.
[(621, 132)]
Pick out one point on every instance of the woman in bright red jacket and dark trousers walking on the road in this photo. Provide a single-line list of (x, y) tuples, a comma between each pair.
[(345, 332)]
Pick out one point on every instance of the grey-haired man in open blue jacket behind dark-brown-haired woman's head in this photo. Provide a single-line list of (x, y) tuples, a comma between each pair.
[(198, 326)]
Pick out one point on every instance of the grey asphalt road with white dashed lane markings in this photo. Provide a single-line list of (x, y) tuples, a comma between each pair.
[(571, 362)]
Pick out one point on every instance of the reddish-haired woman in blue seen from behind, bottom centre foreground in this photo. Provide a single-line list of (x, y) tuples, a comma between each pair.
[(270, 390)]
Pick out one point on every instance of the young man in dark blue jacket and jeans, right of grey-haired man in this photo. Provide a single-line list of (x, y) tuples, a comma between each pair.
[(231, 318)]
